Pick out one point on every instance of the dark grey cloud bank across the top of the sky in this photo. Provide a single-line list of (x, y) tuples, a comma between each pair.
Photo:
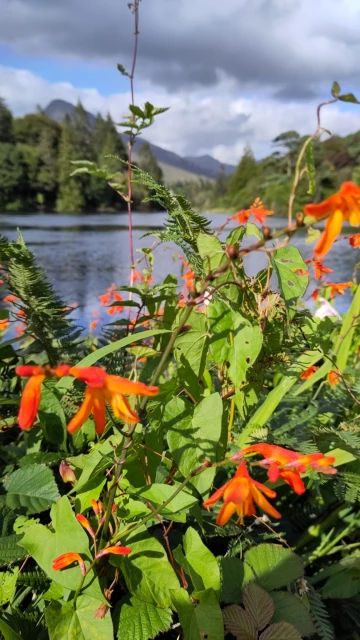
[(292, 47)]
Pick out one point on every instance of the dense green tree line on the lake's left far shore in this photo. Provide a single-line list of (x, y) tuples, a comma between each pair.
[(35, 163)]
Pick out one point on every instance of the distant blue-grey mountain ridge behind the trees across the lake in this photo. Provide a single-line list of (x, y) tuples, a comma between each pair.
[(204, 166)]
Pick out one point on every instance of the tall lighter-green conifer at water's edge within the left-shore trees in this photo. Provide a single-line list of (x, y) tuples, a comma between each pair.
[(70, 197)]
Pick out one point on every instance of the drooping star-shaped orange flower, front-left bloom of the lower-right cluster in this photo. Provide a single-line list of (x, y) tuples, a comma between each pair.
[(239, 494)]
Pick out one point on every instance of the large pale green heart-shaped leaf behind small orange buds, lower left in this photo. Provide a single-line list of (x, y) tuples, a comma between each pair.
[(67, 535)]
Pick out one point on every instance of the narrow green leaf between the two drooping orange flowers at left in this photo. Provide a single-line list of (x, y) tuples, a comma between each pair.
[(52, 417)]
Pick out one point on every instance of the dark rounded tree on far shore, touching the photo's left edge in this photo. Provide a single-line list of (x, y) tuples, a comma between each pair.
[(13, 178)]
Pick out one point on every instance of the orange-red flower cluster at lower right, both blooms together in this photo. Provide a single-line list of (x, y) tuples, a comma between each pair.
[(241, 493)]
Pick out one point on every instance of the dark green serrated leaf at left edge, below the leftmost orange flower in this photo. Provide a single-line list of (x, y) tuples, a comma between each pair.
[(32, 487)]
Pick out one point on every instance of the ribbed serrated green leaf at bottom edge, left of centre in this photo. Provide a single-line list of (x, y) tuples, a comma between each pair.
[(140, 620)]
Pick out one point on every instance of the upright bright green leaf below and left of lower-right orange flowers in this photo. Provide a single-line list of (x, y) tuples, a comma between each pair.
[(202, 566)]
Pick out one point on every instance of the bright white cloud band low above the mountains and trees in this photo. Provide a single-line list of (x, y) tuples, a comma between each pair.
[(198, 122)]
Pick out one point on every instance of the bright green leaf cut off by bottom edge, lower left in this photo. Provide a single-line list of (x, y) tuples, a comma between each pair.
[(66, 623)]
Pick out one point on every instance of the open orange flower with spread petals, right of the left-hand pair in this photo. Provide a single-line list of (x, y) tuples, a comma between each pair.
[(103, 388)]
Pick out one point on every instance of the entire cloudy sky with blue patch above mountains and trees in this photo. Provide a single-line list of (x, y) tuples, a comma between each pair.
[(233, 72)]
